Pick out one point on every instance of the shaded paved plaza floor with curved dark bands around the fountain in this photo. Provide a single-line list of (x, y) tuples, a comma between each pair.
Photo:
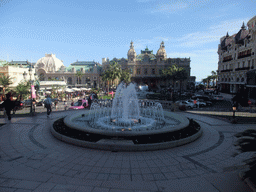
[(33, 160)]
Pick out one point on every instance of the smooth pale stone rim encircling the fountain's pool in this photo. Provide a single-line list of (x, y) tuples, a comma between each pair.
[(184, 122)]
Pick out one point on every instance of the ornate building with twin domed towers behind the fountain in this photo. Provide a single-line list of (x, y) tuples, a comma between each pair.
[(147, 67)]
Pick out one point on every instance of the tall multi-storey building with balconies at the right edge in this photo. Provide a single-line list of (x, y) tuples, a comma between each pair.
[(237, 57)]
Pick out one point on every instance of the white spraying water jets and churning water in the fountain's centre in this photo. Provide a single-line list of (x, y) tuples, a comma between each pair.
[(127, 113)]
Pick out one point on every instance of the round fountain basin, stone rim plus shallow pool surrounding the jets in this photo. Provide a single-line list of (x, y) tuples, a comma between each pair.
[(81, 121)]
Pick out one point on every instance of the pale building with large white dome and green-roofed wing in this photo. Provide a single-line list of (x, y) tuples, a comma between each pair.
[(52, 68)]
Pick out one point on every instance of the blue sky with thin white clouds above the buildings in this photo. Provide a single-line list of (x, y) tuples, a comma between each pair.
[(90, 30)]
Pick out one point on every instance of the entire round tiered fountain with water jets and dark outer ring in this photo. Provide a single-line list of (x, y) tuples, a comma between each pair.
[(128, 121)]
